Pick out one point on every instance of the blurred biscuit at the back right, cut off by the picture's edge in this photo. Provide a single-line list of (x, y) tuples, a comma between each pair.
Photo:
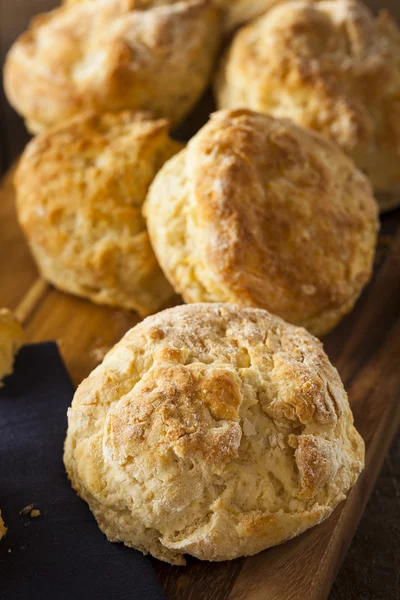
[(330, 66)]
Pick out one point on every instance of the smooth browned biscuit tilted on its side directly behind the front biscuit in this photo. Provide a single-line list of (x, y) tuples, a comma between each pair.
[(260, 212)]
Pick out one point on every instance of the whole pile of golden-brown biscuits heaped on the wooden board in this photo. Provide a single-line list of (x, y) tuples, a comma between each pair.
[(217, 428)]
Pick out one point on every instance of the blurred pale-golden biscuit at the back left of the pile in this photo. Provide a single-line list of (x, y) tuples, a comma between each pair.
[(110, 56)]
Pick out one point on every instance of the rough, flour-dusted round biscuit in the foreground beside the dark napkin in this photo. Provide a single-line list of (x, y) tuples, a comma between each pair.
[(213, 431)]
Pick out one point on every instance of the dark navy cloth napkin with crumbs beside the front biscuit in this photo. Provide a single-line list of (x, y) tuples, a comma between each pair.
[(60, 554)]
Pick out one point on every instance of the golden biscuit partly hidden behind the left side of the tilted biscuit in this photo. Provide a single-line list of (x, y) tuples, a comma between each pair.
[(79, 192)]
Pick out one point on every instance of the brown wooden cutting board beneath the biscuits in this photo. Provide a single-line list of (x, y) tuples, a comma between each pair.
[(365, 348)]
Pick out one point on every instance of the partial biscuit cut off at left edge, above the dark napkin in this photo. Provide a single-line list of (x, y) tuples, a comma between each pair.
[(11, 340)]
